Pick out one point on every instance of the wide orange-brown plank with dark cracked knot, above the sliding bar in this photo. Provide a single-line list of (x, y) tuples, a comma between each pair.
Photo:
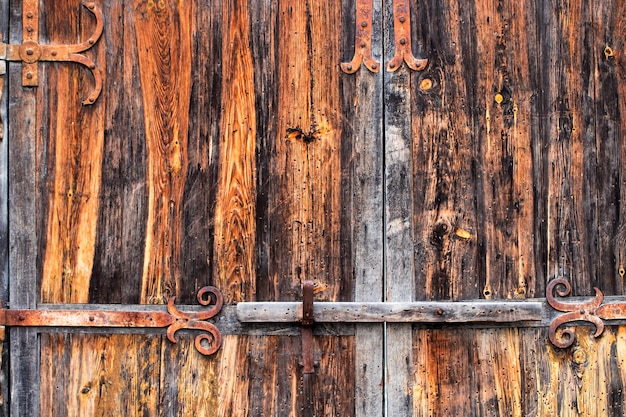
[(306, 166)]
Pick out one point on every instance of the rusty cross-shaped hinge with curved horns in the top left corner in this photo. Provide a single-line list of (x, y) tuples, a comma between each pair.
[(30, 52)]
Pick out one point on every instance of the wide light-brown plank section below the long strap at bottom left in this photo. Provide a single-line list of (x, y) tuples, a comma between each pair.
[(100, 375)]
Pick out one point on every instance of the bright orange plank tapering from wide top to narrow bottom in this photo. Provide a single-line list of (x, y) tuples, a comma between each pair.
[(164, 43)]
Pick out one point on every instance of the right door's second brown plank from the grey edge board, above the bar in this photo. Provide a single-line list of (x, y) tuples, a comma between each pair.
[(502, 147)]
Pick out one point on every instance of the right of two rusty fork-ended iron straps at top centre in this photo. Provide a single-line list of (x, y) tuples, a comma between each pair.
[(402, 39)]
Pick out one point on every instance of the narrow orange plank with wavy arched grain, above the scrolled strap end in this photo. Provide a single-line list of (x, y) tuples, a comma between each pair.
[(235, 228)]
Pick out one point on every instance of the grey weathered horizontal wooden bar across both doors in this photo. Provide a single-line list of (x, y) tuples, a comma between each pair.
[(394, 312)]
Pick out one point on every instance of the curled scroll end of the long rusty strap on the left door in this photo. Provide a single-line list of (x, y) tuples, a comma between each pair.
[(196, 321)]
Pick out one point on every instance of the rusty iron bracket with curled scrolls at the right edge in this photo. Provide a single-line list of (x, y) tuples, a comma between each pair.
[(592, 311)]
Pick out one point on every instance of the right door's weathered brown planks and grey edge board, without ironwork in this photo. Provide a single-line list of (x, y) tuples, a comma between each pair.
[(504, 171)]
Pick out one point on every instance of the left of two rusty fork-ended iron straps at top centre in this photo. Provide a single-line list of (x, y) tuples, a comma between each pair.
[(362, 41)]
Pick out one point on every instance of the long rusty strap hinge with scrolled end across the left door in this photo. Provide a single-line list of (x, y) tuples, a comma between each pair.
[(207, 343)]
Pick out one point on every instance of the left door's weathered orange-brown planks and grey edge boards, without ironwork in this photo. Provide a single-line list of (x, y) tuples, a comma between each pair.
[(226, 149)]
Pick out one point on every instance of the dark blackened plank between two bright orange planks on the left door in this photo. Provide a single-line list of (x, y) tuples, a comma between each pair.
[(205, 114)]
